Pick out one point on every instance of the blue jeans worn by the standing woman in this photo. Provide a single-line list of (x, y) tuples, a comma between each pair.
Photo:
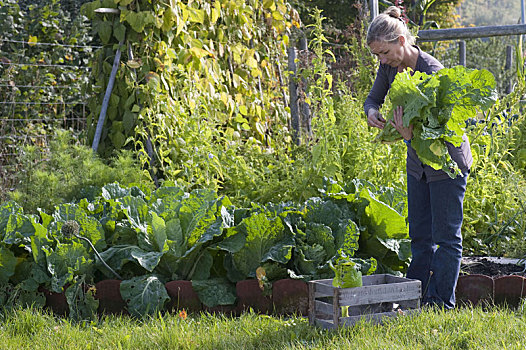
[(435, 213)]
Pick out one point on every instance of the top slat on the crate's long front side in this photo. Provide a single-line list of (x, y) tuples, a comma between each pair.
[(392, 292)]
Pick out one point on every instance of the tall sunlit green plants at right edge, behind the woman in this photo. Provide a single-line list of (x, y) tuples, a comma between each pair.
[(495, 219)]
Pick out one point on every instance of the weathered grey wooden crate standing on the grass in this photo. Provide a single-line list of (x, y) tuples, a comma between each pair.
[(380, 296)]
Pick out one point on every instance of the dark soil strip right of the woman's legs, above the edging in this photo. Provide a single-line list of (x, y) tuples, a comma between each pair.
[(492, 267)]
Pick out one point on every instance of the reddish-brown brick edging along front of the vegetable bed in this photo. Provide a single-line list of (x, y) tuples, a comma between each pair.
[(288, 296)]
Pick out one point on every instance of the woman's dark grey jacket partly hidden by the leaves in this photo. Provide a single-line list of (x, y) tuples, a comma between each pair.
[(384, 78)]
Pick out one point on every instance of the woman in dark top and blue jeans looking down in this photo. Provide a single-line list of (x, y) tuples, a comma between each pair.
[(435, 200)]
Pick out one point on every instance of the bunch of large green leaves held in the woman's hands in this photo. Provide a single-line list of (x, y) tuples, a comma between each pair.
[(438, 106)]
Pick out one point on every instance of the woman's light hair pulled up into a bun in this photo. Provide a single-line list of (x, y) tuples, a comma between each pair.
[(388, 27)]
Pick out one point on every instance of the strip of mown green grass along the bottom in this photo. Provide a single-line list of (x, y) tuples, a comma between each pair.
[(464, 328)]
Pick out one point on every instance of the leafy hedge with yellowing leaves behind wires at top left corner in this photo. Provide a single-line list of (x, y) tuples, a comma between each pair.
[(36, 73)]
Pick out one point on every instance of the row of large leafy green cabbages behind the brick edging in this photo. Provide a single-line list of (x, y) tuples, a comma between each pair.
[(168, 234)]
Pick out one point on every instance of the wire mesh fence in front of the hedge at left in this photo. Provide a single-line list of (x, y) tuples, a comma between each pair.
[(42, 87)]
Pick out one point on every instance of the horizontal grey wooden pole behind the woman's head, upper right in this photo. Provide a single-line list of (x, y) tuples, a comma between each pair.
[(470, 33)]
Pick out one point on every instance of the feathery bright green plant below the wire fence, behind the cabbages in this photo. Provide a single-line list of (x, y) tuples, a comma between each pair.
[(68, 171)]
